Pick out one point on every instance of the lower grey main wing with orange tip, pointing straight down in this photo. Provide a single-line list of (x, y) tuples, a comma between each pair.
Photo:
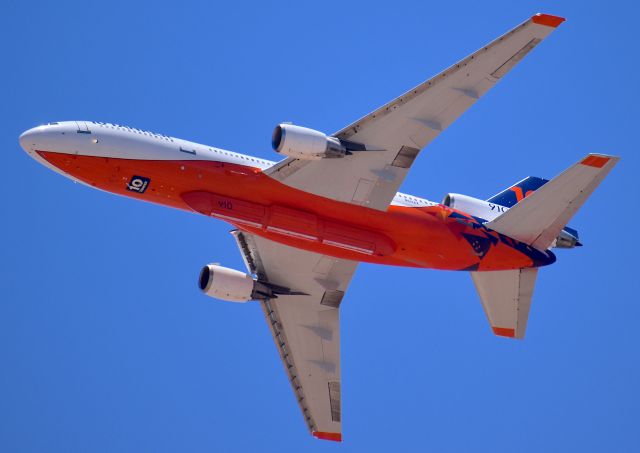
[(305, 328)]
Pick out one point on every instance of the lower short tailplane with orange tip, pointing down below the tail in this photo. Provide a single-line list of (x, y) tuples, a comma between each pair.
[(506, 299)]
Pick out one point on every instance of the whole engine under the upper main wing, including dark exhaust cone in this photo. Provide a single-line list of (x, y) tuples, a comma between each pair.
[(308, 144)]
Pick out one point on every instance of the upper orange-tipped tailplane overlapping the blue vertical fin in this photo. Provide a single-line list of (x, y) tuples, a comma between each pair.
[(539, 218)]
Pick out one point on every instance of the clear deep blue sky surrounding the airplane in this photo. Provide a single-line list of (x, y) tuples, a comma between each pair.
[(107, 345)]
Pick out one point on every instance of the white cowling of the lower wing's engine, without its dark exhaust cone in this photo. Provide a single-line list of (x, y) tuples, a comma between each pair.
[(226, 284)]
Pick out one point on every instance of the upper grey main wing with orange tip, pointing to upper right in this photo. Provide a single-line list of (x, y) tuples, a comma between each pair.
[(395, 133)]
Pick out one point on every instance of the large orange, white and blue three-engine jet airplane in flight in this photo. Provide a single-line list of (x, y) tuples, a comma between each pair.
[(303, 224)]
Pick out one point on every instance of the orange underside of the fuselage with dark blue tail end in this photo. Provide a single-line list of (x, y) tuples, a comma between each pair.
[(431, 237)]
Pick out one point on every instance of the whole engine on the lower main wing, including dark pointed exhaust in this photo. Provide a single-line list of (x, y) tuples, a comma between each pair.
[(235, 286)]
